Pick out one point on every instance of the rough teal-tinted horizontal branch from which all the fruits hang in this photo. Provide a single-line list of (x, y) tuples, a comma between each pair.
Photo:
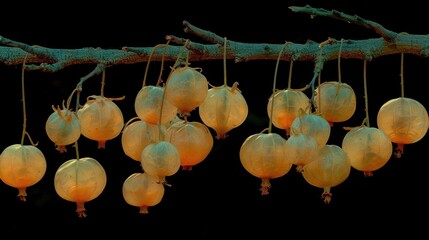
[(389, 42)]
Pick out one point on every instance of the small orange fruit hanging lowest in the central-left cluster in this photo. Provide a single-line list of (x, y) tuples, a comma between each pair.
[(143, 191)]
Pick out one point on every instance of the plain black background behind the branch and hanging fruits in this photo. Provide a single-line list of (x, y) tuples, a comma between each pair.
[(218, 198)]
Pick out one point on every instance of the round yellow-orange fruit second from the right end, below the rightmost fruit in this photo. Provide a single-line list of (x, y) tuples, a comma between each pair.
[(367, 148)]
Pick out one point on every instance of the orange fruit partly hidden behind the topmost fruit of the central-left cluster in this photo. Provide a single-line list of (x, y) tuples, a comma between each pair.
[(148, 104)]
